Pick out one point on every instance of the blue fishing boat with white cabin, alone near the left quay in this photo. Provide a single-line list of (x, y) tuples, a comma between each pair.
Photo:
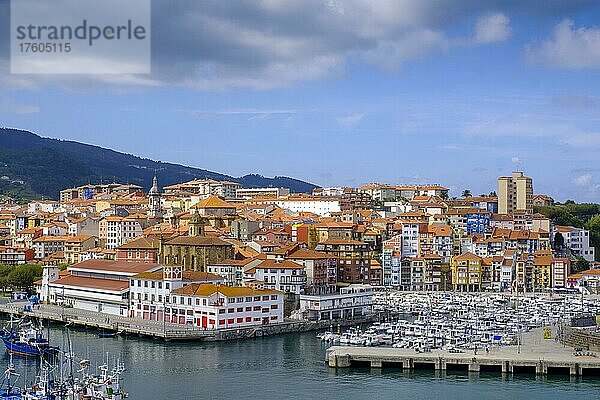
[(28, 341)]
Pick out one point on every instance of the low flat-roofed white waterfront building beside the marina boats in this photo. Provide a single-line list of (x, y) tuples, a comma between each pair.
[(352, 301)]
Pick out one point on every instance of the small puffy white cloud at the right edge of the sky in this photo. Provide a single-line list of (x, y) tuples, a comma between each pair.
[(569, 48)]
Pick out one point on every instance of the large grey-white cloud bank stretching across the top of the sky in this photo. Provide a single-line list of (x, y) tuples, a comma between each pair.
[(213, 45)]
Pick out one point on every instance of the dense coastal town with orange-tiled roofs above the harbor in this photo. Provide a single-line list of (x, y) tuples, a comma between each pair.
[(212, 255)]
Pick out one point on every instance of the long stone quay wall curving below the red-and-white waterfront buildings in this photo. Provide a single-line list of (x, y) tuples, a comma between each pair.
[(167, 331)]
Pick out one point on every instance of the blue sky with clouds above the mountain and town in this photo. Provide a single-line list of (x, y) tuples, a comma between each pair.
[(344, 93)]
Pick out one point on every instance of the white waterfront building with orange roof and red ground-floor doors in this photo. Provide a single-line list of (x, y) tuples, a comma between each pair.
[(223, 307)]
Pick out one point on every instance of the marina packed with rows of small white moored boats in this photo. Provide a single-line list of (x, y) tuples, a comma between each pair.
[(463, 322)]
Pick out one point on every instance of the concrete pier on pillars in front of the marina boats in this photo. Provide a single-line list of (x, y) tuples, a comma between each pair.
[(535, 356)]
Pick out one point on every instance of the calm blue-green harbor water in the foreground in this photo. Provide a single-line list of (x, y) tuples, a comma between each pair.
[(289, 367)]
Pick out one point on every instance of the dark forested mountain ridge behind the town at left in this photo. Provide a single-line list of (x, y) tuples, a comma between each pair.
[(32, 166)]
